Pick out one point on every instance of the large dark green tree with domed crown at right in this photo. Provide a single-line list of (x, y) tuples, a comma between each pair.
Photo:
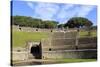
[(78, 22)]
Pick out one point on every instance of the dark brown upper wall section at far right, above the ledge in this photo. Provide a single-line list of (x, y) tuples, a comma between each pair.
[(87, 43)]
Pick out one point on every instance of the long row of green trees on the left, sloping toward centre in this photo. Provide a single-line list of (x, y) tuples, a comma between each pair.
[(33, 22)]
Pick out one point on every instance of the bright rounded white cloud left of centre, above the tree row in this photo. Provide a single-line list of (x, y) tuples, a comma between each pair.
[(46, 10)]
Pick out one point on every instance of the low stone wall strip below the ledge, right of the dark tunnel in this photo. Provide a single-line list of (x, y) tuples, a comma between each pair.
[(70, 54)]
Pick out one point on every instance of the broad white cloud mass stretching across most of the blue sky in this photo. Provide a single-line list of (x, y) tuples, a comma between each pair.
[(62, 12)]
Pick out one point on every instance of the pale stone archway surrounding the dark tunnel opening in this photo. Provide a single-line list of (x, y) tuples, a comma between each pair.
[(34, 50)]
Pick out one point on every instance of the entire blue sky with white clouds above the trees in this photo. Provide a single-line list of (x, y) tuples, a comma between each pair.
[(60, 12)]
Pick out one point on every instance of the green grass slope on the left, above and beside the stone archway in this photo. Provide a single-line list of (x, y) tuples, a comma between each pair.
[(19, 38)]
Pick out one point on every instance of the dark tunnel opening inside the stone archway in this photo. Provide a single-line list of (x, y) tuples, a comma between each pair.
[(36, 51)]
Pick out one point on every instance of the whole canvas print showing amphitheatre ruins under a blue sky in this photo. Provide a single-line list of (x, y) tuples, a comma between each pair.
[(53, 33)]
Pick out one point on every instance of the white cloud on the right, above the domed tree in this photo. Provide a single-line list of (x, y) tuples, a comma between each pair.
[(71, 11)]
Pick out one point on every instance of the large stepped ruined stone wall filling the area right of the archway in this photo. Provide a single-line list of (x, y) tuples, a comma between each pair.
[(67, 45)]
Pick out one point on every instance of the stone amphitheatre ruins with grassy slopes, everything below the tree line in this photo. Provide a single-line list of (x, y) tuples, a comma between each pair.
[(53, 46)]
